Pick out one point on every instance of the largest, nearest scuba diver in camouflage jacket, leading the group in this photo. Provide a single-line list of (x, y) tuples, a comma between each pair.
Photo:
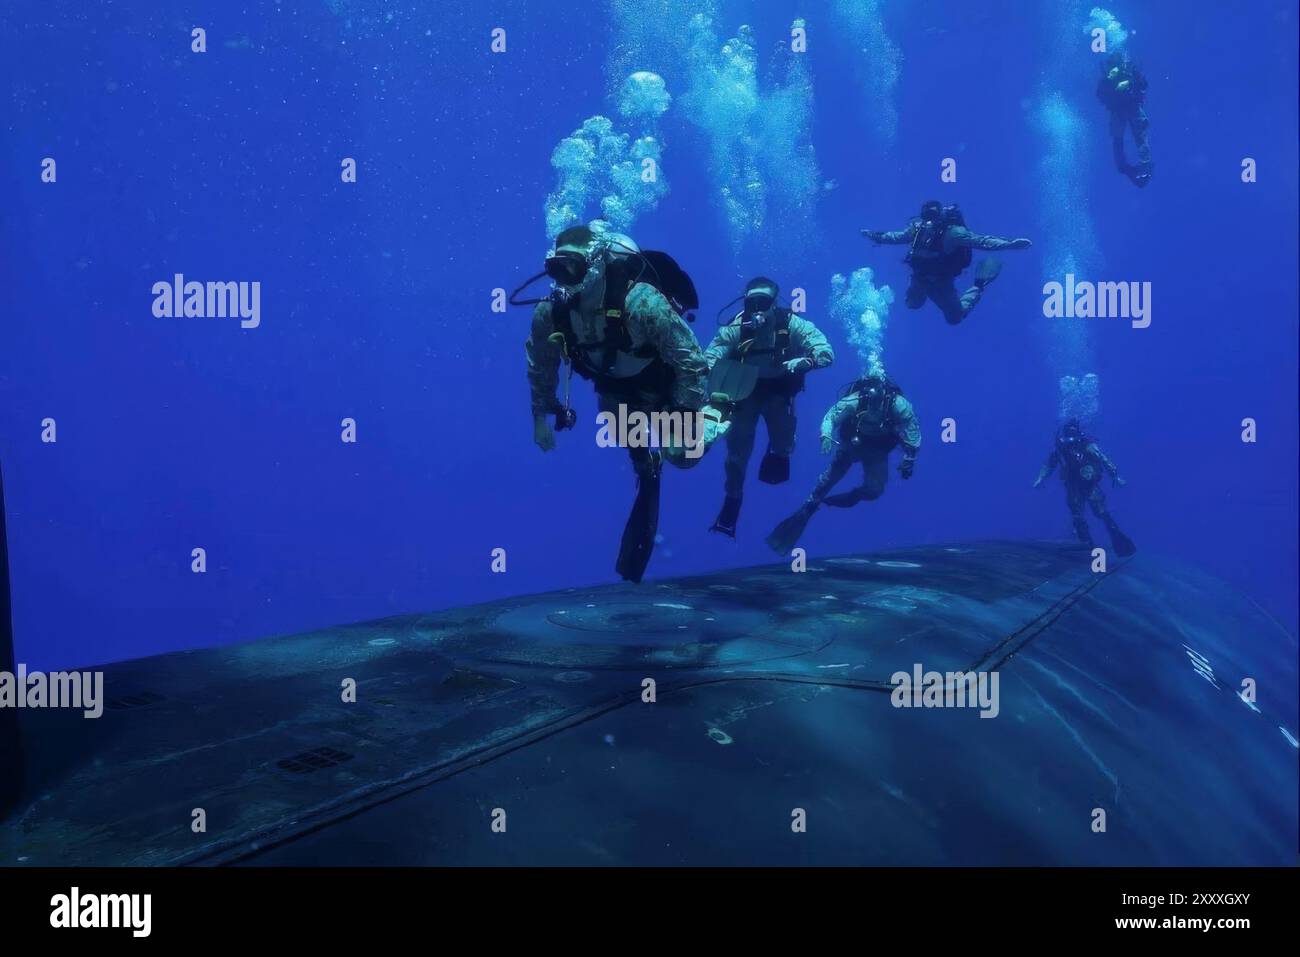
[(616, 317)]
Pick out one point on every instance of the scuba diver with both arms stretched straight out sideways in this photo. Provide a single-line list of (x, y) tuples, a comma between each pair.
[(941, 252)]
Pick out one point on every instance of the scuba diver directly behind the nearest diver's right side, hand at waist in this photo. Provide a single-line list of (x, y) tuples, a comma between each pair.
[(760, 361)]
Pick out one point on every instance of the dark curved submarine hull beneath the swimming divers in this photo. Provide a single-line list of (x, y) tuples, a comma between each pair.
[(773, 695)]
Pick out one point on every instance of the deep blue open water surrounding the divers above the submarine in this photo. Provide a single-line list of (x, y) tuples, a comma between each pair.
[(376, 298)]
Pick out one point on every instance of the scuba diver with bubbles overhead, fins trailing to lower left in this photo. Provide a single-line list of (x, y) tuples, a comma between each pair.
[(872, 418)]
